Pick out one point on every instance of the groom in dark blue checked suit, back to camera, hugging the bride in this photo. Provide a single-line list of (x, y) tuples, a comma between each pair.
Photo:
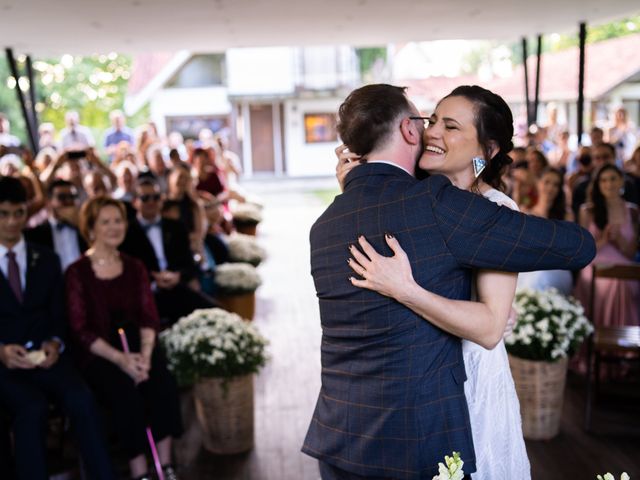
[(392, 401)]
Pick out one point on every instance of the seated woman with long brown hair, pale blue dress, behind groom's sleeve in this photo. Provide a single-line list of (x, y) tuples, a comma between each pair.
[(551, 204)]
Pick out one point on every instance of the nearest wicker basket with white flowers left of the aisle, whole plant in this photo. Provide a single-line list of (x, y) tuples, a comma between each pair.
[(218, 353)]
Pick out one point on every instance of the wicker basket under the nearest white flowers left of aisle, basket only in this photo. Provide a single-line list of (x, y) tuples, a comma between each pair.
[(225, 412)]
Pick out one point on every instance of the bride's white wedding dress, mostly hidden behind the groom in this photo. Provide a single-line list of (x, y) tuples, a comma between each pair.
[(494, 408)]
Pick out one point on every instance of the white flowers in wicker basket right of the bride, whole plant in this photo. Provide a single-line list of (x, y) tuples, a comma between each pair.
[(550, 329)]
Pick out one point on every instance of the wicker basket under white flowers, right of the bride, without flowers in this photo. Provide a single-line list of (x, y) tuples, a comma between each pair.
[(540, 387)]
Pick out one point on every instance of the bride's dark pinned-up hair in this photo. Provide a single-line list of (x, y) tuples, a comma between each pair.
[(494, 124)]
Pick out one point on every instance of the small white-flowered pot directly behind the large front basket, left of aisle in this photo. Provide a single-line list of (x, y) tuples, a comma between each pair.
[(236, 285)]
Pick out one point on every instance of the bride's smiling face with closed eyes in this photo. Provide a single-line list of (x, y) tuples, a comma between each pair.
[(451, 139)]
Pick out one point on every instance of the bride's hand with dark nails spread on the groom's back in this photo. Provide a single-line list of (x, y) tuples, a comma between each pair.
[(390, 276)]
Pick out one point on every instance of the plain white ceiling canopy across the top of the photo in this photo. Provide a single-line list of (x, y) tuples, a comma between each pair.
[(45, 27)]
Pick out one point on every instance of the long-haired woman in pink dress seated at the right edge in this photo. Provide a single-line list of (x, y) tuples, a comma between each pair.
[(614, 225)]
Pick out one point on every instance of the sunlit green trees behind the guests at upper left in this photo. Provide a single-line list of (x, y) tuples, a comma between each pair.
[(92, 85)]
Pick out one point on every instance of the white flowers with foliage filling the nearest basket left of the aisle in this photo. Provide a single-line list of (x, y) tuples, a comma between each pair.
[(213, 343)]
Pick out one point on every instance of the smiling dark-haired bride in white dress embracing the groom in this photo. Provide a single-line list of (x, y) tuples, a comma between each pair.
[(467, 139)]
